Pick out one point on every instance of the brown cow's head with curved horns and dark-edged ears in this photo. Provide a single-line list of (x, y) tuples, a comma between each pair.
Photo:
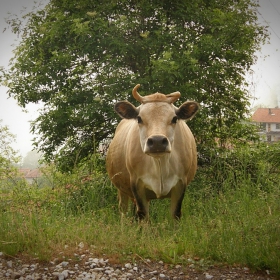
[(157, 118)]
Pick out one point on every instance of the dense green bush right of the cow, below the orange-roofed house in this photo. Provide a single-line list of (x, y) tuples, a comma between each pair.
[(258, 165)]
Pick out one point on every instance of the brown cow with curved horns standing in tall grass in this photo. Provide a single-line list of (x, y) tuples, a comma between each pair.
[(153, 154)]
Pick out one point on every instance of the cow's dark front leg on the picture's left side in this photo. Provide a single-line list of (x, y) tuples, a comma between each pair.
[(142, 203)]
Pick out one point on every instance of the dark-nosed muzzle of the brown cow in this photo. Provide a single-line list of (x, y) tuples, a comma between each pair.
[(157, 144)]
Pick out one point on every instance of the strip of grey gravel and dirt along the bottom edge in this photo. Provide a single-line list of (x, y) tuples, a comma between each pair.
[(86, 267)]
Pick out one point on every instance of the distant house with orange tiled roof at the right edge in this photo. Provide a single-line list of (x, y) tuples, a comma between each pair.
[(268, 120)]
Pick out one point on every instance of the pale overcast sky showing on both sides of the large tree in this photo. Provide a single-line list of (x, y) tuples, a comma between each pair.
[(265, 80)]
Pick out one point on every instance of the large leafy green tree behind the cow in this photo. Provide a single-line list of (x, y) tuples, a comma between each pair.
[(78, 57)]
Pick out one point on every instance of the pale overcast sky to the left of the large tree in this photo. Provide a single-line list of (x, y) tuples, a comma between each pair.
[(11, 114)]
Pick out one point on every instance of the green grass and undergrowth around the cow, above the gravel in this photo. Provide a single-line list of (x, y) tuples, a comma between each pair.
[(231, 215)]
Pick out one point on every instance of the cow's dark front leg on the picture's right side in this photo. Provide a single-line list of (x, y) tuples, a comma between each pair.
[(177, 196)]
